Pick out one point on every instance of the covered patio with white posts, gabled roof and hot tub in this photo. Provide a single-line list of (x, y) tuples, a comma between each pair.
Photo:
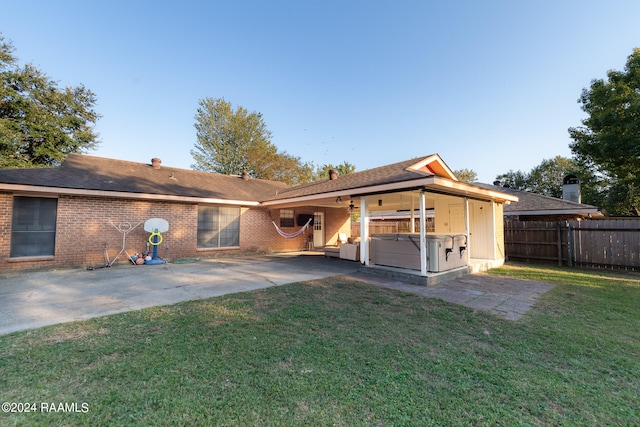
[(466, 220)]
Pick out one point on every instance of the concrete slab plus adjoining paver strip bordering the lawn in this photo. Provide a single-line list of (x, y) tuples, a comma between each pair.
[(35, 299)]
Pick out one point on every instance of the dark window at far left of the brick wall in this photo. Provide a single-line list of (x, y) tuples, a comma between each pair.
[(33, 226)]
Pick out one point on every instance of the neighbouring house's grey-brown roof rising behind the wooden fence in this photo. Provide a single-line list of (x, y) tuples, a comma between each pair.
[(538, 204)]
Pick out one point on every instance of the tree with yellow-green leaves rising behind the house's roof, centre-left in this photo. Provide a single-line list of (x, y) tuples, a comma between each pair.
[(231, 141)]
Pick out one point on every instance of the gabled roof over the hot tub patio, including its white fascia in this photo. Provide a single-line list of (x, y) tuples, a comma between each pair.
[(423, 172)]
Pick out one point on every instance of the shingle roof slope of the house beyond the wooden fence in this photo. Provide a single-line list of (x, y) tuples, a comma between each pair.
[(532, 202)]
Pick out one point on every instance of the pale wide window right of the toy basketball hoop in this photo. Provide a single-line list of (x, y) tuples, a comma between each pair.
[(218, 226)]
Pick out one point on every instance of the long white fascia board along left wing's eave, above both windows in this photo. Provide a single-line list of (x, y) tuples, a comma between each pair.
[(31, 189)]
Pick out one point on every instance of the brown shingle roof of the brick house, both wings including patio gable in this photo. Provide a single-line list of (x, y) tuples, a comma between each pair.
[(80, 172)]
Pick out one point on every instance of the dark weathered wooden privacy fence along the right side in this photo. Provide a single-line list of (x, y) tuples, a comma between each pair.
[(607, 243)]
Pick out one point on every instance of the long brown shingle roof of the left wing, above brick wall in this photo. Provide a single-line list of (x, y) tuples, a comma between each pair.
[(90, 175)]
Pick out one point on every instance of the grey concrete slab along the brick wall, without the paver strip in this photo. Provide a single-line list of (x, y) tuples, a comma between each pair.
[(35, 299)]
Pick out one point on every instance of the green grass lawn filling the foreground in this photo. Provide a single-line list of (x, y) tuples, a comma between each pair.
[(335, 352)]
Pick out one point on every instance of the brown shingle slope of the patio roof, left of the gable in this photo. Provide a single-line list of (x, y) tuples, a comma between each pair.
[(396, 172)]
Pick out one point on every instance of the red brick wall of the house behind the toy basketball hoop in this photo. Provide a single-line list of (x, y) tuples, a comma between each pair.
[(84, 229)]
